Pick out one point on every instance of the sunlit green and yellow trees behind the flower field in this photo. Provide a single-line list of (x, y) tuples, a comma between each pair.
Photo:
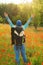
[(23, 12)]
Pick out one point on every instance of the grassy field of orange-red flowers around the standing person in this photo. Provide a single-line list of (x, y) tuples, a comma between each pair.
[(33, 45)]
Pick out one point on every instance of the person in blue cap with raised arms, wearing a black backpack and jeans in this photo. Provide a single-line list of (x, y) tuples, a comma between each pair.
[(18, 38)]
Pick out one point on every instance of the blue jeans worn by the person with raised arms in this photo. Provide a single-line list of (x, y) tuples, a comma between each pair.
[(19, 49)]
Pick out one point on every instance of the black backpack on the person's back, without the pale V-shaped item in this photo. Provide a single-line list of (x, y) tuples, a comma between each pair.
[(15, 38)]
